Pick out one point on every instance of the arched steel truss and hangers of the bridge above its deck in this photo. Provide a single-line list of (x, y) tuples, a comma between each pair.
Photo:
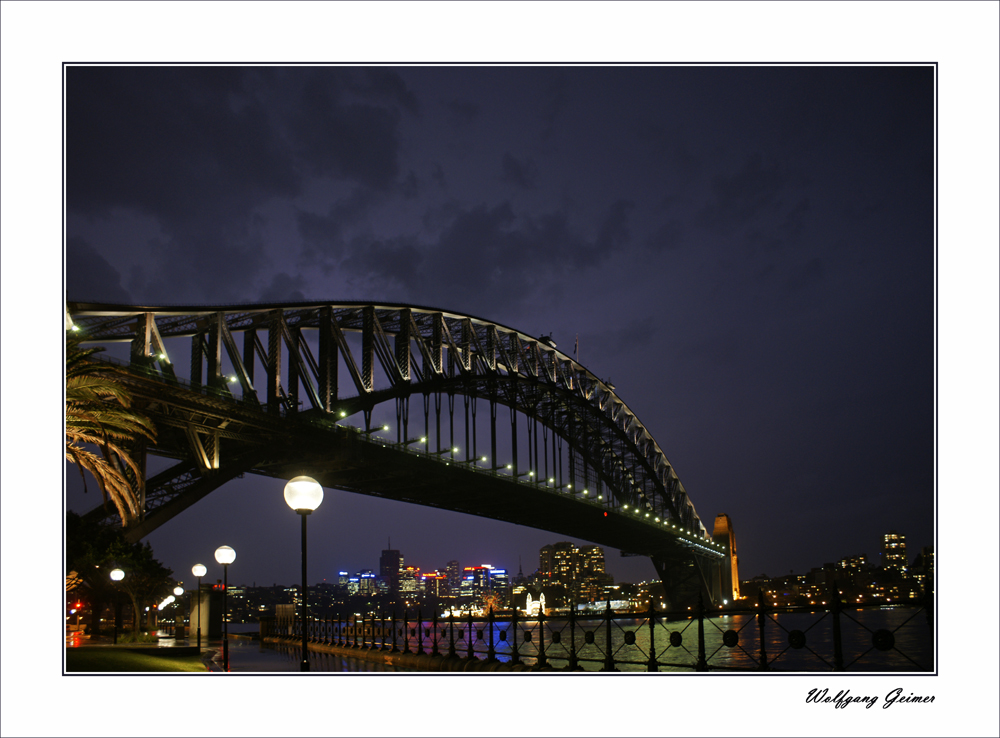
[(264, 364)]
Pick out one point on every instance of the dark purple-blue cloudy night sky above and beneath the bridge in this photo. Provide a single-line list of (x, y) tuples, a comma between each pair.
[(746, 252)]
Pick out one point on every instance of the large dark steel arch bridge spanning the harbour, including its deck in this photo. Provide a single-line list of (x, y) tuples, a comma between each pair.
[(567, 456)]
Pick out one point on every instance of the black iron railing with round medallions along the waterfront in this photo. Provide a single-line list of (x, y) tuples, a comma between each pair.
[(762, 638)]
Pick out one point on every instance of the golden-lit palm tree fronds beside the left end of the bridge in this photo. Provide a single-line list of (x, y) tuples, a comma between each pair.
[(98, 414)]
